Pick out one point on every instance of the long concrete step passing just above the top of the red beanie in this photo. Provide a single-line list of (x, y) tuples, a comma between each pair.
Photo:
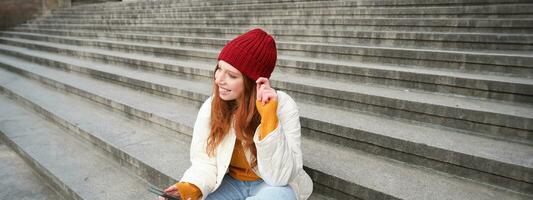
[(362, 24)]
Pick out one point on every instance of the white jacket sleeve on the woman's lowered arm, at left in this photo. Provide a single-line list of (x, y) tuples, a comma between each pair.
[(203, 171)]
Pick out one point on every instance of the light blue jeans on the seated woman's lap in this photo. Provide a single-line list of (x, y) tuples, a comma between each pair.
[(233, 189)]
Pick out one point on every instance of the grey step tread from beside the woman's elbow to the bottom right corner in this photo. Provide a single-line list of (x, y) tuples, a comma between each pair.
[(407, 183)]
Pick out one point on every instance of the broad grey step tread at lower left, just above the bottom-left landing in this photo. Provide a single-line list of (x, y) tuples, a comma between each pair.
[(82, 169)]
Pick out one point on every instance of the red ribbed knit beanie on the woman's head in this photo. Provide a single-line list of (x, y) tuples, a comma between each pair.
[(252, 53)]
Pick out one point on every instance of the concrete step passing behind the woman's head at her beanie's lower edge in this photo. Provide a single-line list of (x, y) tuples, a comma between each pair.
[(497, 119)]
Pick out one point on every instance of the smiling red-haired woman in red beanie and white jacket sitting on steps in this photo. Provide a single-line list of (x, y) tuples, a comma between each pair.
[(246, 139)]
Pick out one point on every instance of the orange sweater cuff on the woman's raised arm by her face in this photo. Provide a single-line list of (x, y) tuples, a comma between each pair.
[(269, 117)]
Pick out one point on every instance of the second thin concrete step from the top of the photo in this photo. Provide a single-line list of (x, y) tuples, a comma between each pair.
[(505, 9)]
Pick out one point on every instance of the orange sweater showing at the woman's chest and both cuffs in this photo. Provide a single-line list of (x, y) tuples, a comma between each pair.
[(239, 167)]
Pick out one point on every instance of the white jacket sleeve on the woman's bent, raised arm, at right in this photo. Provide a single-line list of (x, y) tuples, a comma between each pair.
[(278, 154)]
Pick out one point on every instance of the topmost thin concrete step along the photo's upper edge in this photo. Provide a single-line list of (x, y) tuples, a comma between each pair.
[(234, 5)]
